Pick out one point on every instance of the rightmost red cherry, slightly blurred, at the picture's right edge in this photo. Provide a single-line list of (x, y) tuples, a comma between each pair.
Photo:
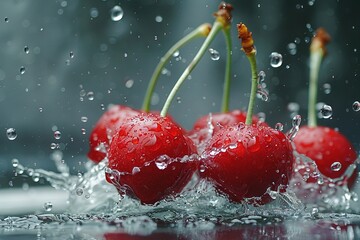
[(325, 146)]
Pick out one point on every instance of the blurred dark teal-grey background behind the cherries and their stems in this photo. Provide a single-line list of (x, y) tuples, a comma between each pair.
[(112, 62)]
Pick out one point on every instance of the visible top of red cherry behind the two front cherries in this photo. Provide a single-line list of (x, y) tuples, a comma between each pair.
[(218, 120)]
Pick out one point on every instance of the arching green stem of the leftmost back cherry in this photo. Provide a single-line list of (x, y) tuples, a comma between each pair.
[(201, 31)]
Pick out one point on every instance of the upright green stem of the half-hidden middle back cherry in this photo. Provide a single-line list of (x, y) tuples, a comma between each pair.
[(226, 91)]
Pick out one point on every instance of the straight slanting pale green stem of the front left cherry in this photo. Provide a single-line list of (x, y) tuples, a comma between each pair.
[(215, 29)]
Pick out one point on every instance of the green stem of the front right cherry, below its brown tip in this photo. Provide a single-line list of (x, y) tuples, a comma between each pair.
[(254, 83)]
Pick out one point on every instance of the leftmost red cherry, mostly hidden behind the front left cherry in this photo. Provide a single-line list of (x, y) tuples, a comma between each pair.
[(105, 128)]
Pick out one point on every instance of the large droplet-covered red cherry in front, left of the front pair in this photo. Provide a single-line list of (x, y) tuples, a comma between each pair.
[(138, 143)]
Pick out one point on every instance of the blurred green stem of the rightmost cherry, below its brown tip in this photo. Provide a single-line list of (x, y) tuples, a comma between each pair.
[(315, 61)]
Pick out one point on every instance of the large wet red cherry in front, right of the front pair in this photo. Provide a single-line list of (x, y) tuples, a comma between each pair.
[(262, 159)]
